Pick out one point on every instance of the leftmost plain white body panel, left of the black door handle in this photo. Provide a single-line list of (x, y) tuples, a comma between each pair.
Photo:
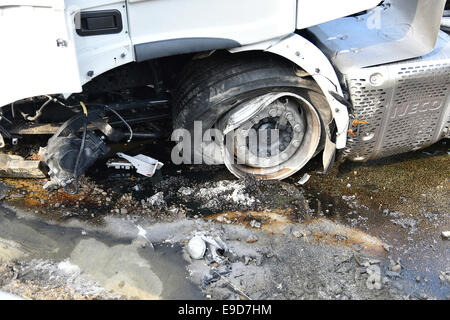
[(31, 62)]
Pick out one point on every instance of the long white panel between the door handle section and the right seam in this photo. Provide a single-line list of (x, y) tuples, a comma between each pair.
[(244, 21)]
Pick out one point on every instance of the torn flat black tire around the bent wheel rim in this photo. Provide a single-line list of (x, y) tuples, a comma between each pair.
[(209, 88)]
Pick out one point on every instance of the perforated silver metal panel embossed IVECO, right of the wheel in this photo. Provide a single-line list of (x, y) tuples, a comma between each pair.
[(407, 110)]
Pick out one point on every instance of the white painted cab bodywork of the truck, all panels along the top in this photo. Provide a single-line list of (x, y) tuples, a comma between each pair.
[(35, 65)]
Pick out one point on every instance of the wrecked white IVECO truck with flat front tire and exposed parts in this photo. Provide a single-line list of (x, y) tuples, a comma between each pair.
[(352, 79)]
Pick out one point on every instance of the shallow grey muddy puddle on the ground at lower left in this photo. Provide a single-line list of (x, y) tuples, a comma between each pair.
[(122, 266)]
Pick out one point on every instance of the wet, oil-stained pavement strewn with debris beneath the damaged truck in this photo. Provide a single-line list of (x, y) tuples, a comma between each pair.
[(387, 214)]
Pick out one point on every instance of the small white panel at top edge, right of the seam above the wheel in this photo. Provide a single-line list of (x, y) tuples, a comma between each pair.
[(312, 12)]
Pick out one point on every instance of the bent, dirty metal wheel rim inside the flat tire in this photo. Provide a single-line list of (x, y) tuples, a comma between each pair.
[(273, 136)]
